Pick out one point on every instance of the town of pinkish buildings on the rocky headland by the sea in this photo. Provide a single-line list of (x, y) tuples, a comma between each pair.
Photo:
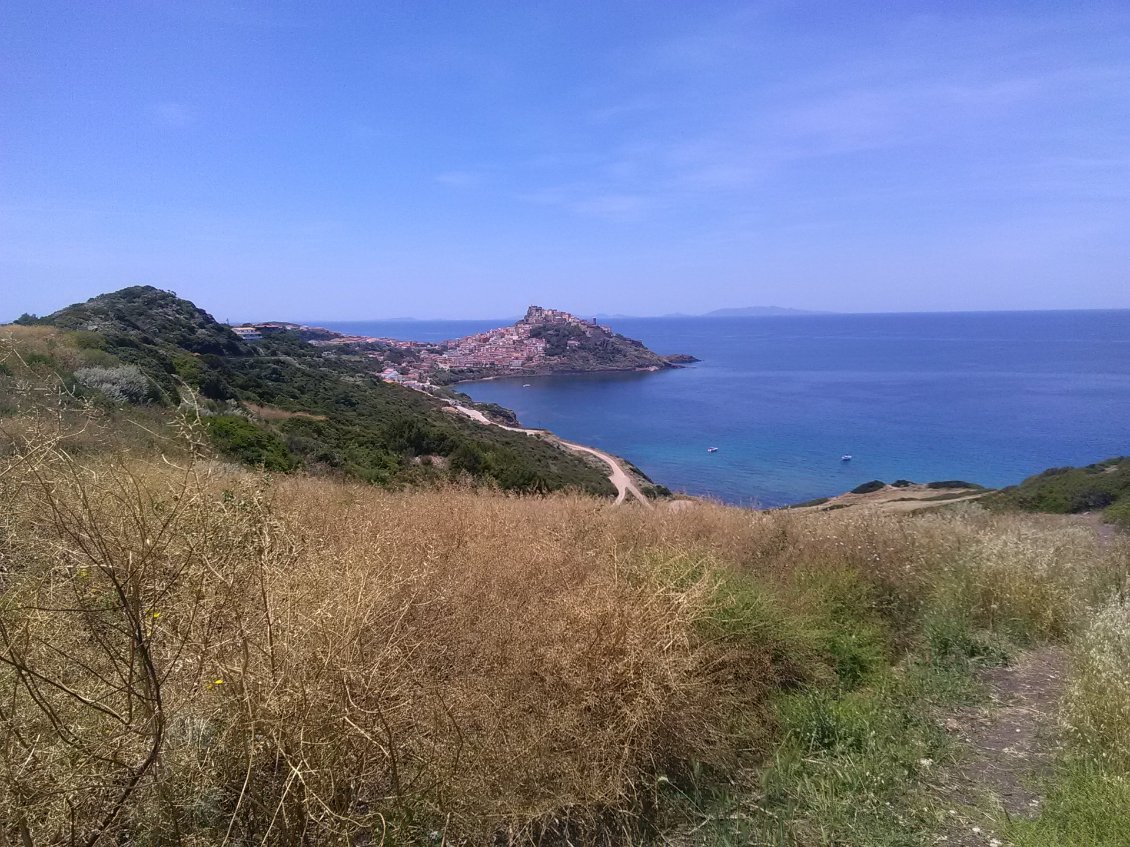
[(545, 342)]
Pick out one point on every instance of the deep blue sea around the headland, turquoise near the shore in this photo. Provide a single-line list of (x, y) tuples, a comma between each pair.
[(989, 398)]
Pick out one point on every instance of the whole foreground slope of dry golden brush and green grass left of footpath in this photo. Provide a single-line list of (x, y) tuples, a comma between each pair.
[(340, 662)]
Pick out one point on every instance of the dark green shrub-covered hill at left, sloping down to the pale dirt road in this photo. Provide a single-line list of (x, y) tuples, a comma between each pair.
[(281, 404)]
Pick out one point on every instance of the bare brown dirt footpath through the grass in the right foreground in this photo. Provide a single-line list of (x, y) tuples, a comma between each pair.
[(1012, 741)]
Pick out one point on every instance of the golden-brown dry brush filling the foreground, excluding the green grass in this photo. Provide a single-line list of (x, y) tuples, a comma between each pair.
[(192, 653)]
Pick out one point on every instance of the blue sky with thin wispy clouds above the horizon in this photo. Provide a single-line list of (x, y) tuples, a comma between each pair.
[(371, 160)]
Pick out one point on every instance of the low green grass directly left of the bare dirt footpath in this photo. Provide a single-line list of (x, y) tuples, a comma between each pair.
[(853, 767)]
